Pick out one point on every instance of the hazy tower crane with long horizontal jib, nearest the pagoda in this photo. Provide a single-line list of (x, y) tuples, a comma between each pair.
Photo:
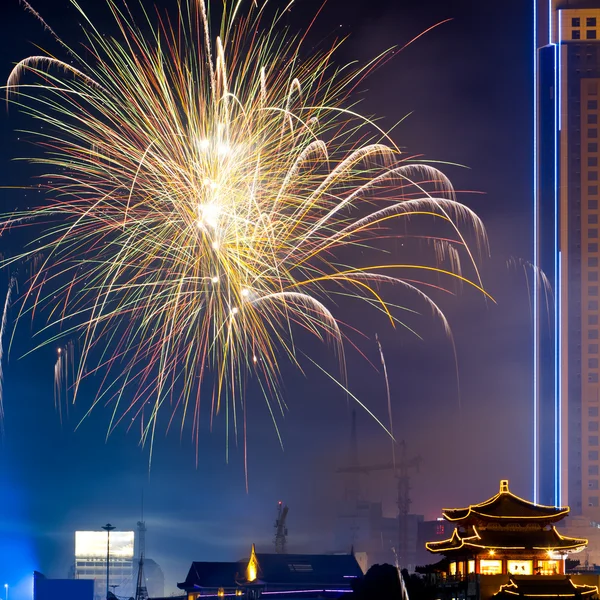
[(401, 467)]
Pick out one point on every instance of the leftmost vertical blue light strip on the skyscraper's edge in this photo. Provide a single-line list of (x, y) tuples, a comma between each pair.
[(535, 259)]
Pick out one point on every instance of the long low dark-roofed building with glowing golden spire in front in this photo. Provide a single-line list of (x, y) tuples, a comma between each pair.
[(289, 576)]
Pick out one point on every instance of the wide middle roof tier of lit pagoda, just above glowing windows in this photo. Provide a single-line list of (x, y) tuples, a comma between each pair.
[(506, 539)]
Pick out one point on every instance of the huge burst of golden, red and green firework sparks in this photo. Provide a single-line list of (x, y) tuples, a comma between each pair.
[(208, 194)]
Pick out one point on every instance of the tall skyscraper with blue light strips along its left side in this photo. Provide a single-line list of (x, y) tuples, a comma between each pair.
[(566, 355)]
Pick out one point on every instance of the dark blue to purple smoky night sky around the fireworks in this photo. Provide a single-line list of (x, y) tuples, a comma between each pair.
[(467, 89)]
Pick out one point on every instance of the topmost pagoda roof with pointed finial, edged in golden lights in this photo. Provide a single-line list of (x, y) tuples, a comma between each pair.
[(506, 506)]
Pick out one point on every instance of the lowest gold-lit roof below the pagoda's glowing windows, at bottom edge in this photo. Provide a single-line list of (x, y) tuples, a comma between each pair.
[(534, 586)]
